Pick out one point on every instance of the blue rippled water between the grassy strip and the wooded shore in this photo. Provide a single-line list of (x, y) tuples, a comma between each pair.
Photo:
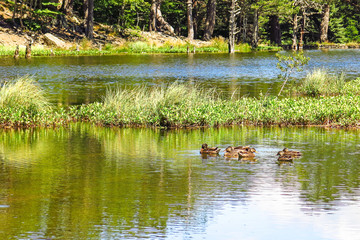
[(76, 80)]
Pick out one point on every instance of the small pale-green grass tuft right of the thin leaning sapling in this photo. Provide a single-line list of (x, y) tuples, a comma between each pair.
[(320, 82)]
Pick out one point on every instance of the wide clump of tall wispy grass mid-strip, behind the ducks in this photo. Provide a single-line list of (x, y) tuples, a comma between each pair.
[(173, 105)]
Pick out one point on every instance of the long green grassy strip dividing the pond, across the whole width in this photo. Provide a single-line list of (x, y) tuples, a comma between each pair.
[(23, 104)]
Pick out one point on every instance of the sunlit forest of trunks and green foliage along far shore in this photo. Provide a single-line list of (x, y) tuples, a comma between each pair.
[(273, 22)]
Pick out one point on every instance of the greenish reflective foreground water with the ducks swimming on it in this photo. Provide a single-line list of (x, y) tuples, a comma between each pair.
[(84, 182)]
